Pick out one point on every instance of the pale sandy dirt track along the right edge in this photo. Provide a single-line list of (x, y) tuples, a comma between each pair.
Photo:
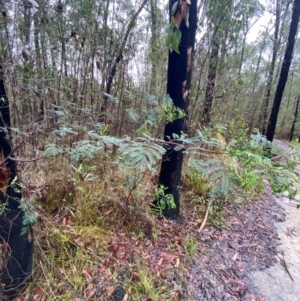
[(281, 282)]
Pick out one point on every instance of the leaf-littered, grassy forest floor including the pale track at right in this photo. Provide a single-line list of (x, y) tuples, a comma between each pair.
[(109, 250)]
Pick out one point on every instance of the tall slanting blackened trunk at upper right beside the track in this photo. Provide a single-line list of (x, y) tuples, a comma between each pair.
[(284, 71)]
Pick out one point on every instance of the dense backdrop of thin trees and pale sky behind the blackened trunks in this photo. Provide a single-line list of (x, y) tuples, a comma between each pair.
[(73, 65)]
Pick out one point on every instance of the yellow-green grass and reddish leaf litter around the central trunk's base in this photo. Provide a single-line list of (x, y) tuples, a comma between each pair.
[(95, 233)]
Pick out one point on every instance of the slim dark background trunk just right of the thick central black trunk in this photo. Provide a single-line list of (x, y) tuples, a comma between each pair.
[(210, 88)]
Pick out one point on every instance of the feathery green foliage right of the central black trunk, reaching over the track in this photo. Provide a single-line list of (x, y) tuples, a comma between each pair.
[(240, 168)]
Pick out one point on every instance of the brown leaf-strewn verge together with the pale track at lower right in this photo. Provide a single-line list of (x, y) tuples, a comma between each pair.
[(256, 256)]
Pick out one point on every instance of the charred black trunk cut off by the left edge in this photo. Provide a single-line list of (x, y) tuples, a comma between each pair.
[(17, 260)]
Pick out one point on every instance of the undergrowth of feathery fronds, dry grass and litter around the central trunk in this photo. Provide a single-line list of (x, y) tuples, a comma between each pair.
[(96, 237)]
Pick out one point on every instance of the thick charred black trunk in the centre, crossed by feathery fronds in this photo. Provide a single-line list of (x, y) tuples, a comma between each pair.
[(179, 81)]
